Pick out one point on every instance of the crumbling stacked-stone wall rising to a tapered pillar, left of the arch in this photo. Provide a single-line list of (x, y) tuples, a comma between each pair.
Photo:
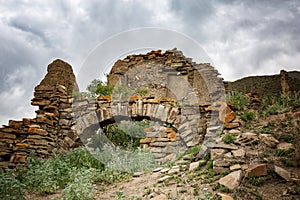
[(53, 126)]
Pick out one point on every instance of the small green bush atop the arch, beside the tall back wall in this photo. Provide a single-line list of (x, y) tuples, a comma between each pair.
[(99, 88)]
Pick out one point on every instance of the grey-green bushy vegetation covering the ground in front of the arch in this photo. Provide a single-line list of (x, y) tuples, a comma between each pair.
[(76, 172)]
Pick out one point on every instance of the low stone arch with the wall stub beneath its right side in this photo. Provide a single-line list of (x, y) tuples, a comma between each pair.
[(176, 128)]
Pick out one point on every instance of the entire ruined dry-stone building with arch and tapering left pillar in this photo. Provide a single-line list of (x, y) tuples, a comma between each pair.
[(62, 119)]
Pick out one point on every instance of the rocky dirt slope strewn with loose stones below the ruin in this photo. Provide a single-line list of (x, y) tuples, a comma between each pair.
[(256, 161)]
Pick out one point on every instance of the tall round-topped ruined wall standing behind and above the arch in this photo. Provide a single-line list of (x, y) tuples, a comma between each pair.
[(168, 74)]
